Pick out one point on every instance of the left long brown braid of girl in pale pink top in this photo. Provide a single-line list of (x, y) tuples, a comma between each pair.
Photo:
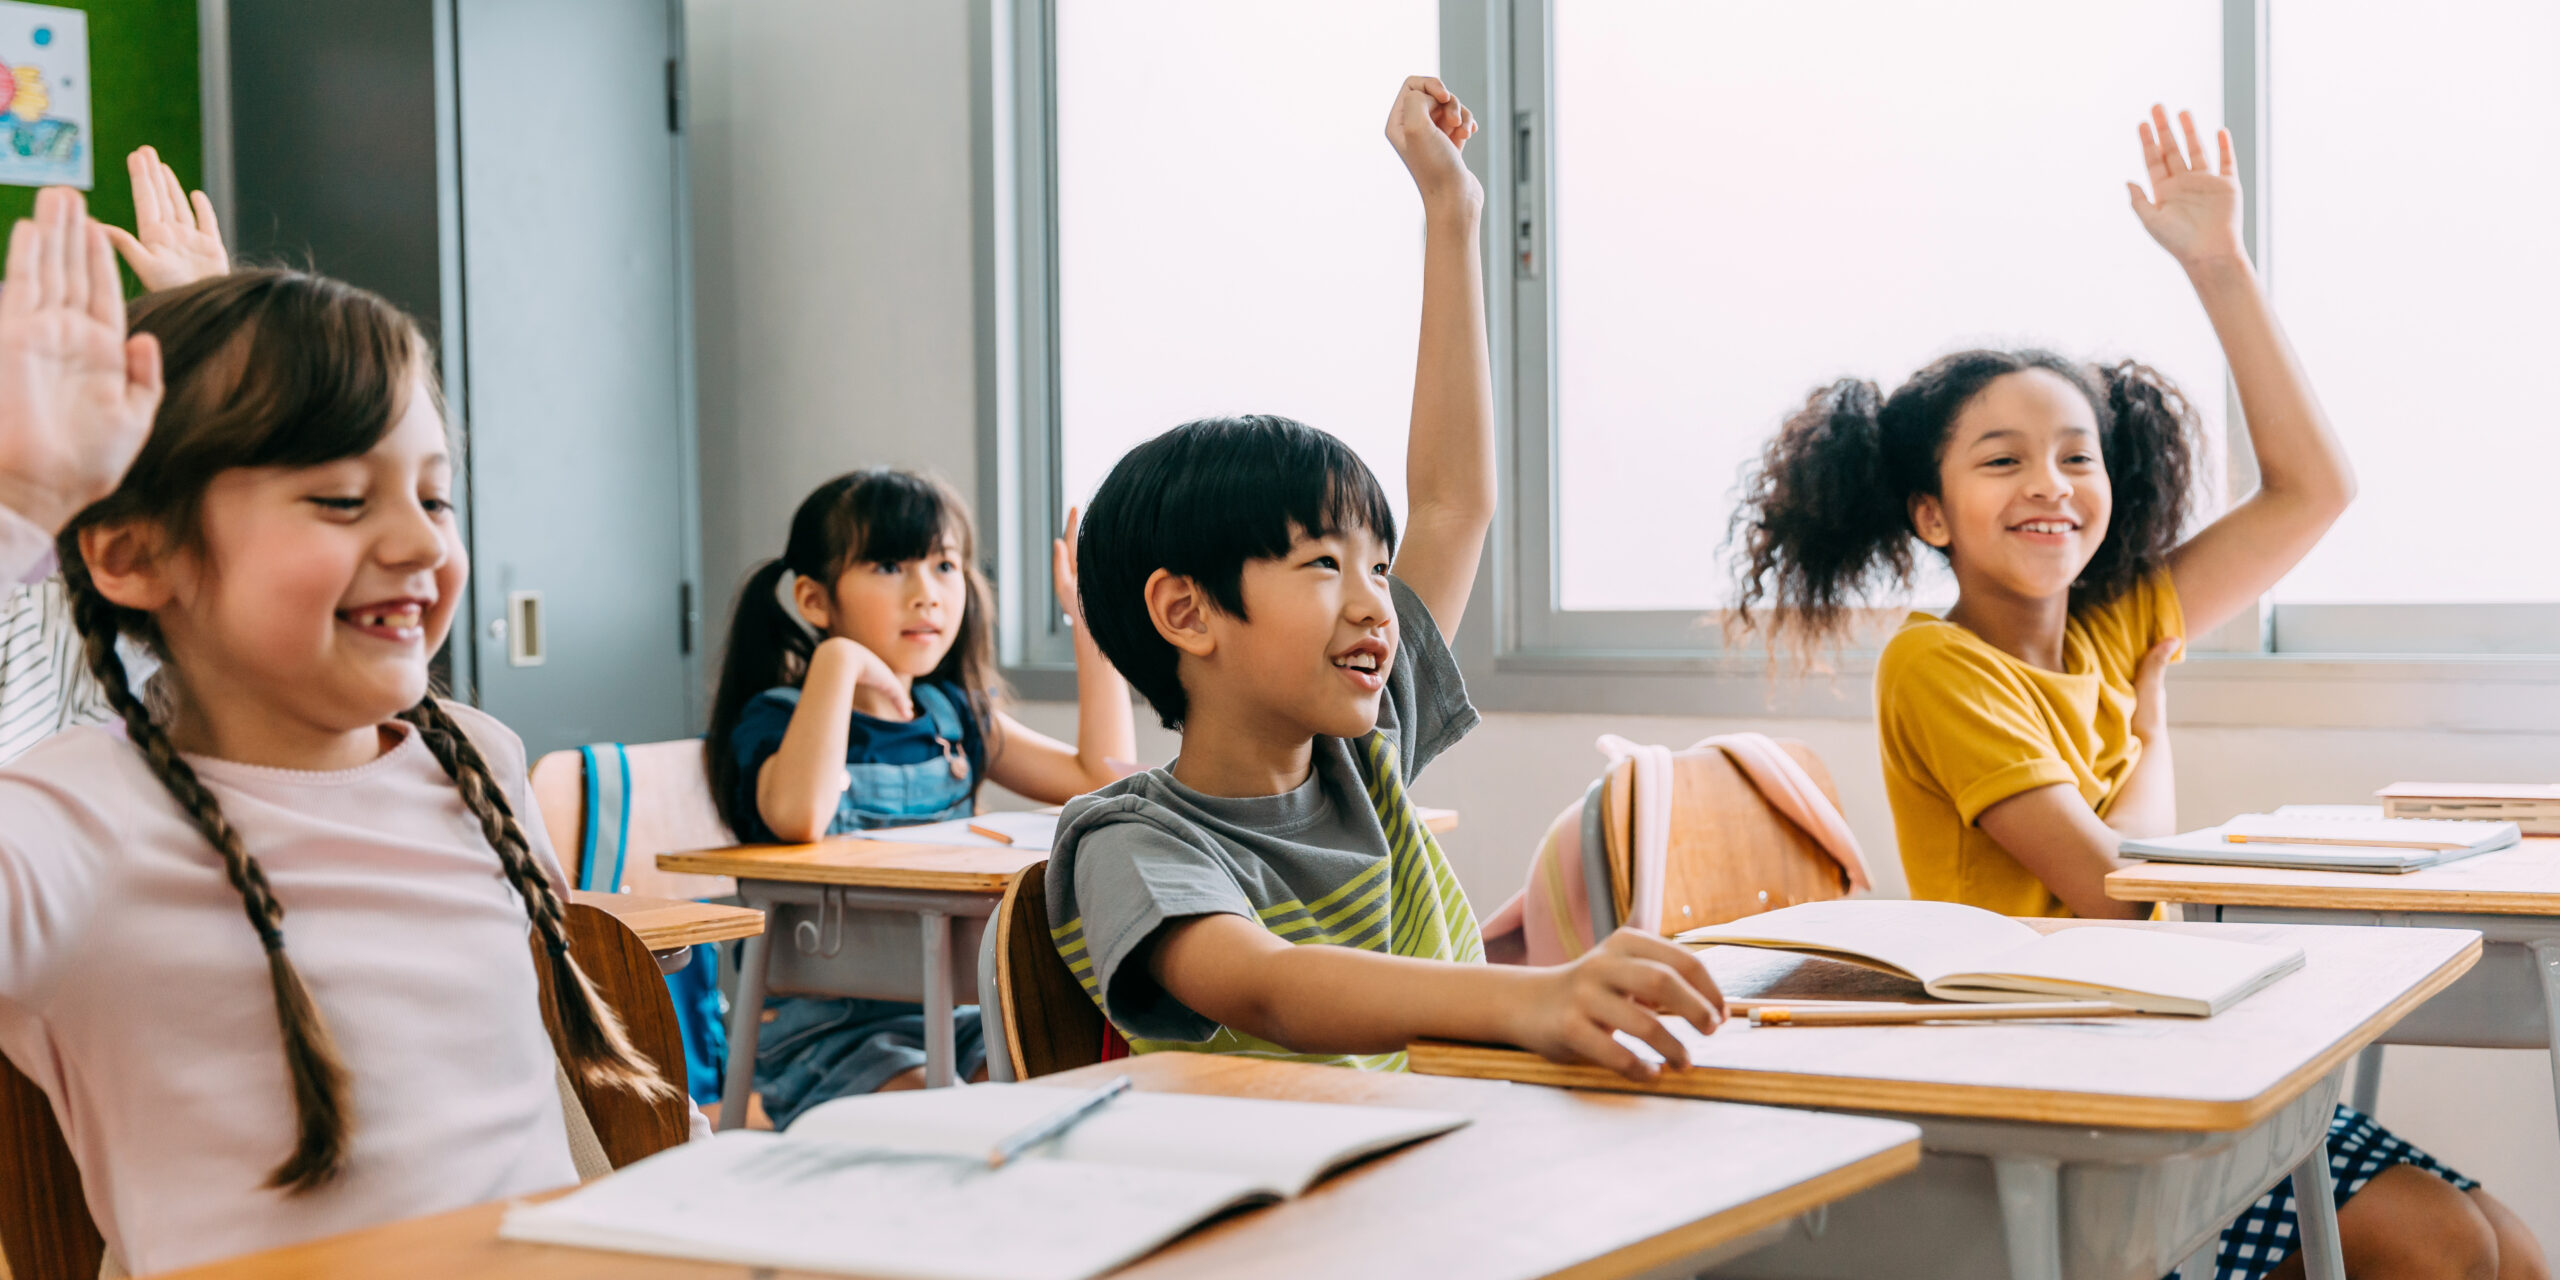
[(311, 1051)]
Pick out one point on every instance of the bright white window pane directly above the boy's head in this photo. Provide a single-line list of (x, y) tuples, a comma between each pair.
[(1233, 229)]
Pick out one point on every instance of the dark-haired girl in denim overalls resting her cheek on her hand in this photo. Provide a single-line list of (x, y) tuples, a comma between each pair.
[(861, 692)]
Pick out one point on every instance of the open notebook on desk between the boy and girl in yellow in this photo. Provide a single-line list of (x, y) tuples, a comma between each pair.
[(1965, 954)]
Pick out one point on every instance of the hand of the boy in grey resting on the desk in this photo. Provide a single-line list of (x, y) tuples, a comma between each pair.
[(1624, 984)]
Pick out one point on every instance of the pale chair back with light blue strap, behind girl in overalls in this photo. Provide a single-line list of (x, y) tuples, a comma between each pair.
[(616, 808)]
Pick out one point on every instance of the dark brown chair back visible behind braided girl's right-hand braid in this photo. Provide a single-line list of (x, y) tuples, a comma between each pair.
[(628, 979)]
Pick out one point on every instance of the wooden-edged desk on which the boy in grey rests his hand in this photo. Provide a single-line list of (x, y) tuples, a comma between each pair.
[(2057, 1151)]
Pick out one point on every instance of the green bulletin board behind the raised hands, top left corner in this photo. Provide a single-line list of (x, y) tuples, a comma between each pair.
[(142, 91)]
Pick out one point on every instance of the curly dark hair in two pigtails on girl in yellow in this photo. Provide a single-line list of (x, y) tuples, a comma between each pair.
[(1824, 516)]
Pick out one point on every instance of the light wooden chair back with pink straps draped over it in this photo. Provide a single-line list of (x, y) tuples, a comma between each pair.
[(1732, 851)]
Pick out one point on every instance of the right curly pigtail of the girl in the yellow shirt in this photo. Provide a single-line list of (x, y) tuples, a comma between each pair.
[(2149, 439)]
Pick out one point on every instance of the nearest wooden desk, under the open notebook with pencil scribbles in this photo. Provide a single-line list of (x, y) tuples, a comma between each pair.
[(1542, 1184)]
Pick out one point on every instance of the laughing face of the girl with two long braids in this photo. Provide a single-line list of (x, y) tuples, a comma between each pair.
[(311, 595)]
